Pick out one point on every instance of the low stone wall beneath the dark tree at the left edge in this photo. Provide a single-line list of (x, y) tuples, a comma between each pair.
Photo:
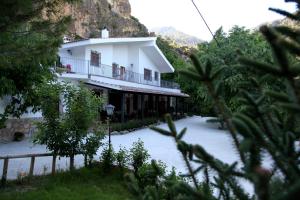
[(25, 126)]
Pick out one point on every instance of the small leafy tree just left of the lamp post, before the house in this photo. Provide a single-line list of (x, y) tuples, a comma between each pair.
[(76, 130)]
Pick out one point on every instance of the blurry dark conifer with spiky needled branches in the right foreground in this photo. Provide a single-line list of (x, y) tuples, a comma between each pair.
[(267, 124)]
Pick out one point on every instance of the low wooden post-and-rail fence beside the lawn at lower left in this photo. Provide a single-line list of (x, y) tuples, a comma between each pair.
[(32, 162)]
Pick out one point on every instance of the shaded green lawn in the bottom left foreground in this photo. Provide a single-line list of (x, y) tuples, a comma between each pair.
[(84, 184)]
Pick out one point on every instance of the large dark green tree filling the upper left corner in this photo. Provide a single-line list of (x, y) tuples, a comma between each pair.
[(30, 35)]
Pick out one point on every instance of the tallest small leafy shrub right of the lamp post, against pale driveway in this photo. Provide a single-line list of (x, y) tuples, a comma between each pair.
[(138, 155)]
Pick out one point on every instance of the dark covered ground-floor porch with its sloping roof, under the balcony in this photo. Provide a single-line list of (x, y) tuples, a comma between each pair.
[(137, 103)]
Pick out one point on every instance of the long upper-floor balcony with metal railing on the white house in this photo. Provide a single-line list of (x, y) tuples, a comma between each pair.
[(84, 67)]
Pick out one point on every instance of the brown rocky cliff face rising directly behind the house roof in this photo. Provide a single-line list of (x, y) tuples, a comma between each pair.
[(90, 16)]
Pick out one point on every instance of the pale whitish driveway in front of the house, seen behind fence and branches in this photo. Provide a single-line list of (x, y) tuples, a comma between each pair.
[(215, 141)]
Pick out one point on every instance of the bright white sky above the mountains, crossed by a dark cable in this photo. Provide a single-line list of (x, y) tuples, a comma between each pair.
[(182, 15)]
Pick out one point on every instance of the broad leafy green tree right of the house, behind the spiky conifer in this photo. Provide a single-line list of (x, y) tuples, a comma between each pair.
[(239, 41)]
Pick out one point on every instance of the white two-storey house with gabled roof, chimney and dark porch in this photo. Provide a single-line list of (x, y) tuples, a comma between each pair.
[(126, 70)]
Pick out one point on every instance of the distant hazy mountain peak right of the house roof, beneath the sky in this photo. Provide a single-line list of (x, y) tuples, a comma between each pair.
[(180, 38)]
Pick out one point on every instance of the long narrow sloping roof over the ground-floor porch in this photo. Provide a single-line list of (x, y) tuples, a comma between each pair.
[(136, 89)]
